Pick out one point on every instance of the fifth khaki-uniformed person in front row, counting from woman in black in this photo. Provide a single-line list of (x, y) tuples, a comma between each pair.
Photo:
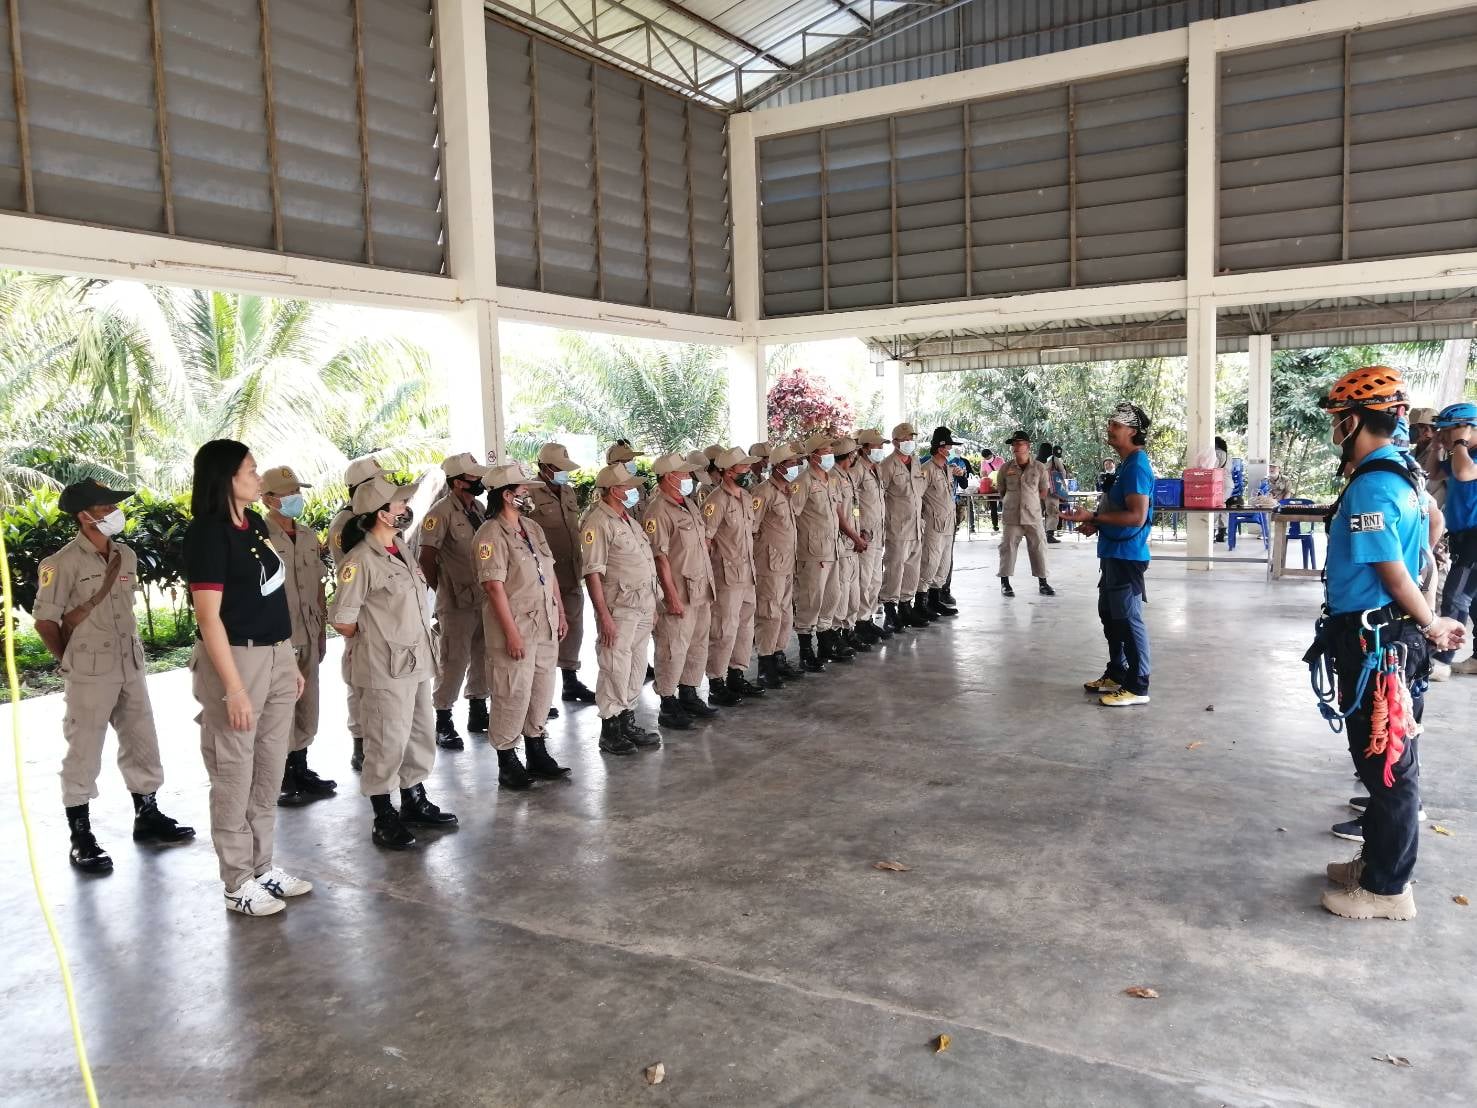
[(730, 518)]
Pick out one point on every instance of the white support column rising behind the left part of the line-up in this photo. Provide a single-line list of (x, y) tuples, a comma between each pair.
[(469, 349)]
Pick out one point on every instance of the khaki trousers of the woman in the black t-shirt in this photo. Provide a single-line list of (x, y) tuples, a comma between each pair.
[(246, 767)]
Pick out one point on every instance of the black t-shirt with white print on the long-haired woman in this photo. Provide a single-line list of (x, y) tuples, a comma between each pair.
[(236, 562)]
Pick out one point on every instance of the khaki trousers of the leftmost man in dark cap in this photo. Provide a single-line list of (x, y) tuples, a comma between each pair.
[(91, 707)]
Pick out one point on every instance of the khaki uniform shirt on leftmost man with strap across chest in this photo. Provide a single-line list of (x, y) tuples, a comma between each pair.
[(106, 646)]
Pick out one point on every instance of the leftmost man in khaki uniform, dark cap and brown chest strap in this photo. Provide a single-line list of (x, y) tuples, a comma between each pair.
[(85, 617)]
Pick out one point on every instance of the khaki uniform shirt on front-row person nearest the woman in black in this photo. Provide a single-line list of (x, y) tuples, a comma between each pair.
[(385, 596)]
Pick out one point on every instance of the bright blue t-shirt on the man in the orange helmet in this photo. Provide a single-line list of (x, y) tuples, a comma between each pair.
[(1382, 519)]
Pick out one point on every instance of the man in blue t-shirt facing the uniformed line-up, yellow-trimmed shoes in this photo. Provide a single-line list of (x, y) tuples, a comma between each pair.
[(1122, 525)]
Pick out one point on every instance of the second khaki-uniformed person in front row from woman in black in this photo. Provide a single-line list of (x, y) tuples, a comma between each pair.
[(525, 623)]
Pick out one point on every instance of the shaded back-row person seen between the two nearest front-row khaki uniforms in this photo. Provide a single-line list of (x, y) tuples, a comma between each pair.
[(450, 568)]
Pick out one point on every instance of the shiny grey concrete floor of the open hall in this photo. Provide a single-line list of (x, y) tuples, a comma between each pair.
[(714, 906)]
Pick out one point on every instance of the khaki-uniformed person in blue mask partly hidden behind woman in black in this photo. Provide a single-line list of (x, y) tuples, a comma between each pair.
[(308, 605)]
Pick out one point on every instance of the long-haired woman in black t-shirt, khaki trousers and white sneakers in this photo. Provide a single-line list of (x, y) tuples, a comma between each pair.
[(246, 674)]
